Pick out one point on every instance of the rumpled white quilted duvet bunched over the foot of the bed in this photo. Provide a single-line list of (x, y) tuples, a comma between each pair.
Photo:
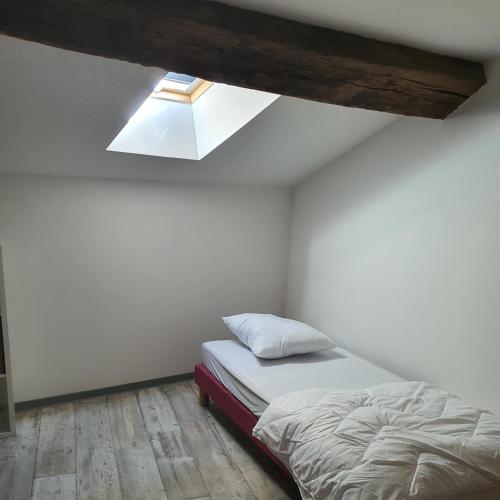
[(405, 440)]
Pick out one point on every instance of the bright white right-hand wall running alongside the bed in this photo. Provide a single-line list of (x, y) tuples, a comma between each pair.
[(395, 249)]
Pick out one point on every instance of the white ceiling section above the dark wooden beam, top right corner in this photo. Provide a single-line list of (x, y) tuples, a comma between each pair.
[(466, 28)]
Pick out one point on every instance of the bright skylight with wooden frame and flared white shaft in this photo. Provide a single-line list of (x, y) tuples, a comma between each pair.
[(174, 123)]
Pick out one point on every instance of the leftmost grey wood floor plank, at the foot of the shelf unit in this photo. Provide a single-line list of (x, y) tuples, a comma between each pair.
[(18, 455)]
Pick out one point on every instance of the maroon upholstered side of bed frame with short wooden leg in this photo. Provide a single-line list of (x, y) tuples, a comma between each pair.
[(210, 388)]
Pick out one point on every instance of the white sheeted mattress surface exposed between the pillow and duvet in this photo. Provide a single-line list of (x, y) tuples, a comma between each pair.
[(257, 382)]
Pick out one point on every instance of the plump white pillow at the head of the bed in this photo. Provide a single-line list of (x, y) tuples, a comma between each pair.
[(272, 337)]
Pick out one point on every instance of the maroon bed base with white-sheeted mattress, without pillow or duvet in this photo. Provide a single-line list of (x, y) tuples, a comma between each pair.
[(242, 385)]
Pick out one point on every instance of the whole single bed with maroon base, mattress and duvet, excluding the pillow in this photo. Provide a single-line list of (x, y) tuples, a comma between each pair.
[(344, 428)]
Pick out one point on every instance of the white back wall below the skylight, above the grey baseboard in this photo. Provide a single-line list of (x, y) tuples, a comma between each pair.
[(110, 282)]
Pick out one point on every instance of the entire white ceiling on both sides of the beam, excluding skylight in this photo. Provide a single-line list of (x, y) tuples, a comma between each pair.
[(60, 110)]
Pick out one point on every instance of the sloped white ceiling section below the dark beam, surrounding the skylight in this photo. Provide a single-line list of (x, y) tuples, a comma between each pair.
[(60, 110)]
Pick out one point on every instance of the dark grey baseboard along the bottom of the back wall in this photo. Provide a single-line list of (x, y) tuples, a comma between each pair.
[(23, 405)]
